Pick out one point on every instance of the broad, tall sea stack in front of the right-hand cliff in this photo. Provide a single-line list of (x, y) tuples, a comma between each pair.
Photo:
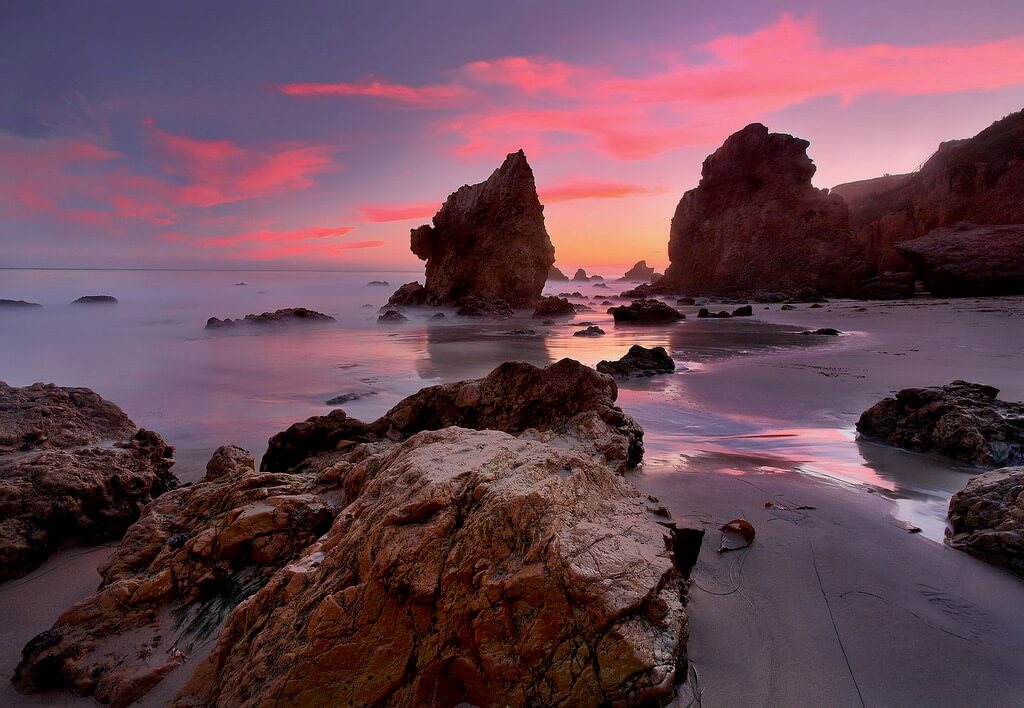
[(755, 223)]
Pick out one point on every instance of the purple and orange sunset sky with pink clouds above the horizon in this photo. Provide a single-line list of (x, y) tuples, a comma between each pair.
[(309, 135)]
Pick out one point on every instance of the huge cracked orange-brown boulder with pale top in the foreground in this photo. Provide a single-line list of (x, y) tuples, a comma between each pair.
[(473, 568)]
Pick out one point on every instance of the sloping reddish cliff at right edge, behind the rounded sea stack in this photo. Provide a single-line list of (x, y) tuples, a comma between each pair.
[(980, 180)]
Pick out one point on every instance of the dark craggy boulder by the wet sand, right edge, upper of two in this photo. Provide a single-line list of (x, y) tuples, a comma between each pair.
[(962, 421)]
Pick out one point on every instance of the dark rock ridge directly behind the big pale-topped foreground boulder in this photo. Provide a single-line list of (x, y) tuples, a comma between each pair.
[(559, 401)]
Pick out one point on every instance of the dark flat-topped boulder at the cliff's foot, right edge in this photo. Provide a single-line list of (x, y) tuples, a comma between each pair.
[(969, 261)]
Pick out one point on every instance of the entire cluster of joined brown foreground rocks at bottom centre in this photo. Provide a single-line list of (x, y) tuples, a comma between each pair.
[(461, 566)]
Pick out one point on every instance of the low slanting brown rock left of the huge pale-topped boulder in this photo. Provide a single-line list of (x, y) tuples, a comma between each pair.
[(194, 554)]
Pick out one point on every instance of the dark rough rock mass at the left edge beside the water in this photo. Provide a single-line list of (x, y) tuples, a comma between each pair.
[(73, 468)]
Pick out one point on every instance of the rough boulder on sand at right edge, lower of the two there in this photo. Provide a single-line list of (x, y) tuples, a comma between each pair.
[(987, 519)]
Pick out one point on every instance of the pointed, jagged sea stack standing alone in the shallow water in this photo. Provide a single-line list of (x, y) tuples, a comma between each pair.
[(489, 241)]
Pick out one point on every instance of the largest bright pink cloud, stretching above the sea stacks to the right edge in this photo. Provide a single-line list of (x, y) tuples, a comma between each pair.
[(546, 105)]
